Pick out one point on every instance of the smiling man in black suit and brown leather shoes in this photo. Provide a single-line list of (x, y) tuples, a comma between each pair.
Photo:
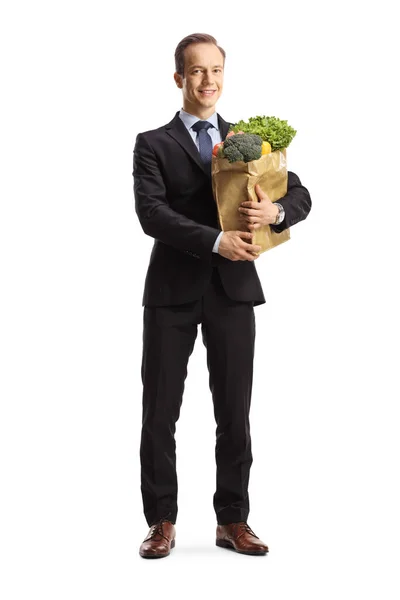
[(198, 274)]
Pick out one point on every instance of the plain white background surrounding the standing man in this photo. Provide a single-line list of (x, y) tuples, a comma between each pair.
[(80, 80)]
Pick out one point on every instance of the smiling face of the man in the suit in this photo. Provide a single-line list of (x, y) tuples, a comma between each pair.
[(203, 79)]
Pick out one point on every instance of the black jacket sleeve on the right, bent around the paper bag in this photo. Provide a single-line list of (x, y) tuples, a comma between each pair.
[(296, 203)]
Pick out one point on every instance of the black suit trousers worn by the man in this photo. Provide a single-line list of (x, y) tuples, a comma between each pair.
[(169, 334)]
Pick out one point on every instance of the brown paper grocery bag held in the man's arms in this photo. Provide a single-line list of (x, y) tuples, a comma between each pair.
[(234, 182)]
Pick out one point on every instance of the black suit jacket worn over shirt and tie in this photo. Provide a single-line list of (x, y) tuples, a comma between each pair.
[(175, 205)]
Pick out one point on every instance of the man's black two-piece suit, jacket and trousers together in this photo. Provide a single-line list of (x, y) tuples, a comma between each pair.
[(188, 284)]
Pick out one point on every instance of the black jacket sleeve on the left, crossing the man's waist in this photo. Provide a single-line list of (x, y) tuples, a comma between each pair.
[(156, 217)]
